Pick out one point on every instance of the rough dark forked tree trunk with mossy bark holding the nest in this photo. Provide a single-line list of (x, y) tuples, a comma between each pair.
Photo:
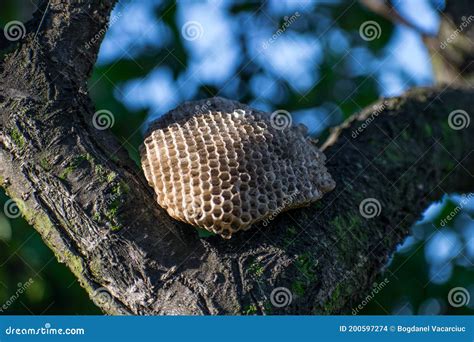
[(92, 207)]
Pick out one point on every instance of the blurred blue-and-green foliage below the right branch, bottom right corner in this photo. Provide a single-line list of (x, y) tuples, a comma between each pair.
[(438, 257)]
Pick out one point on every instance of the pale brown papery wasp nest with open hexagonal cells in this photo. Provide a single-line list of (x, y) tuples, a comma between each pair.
[(223, 166)]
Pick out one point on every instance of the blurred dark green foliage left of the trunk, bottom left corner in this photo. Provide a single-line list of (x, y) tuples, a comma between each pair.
[(53, 289)]
